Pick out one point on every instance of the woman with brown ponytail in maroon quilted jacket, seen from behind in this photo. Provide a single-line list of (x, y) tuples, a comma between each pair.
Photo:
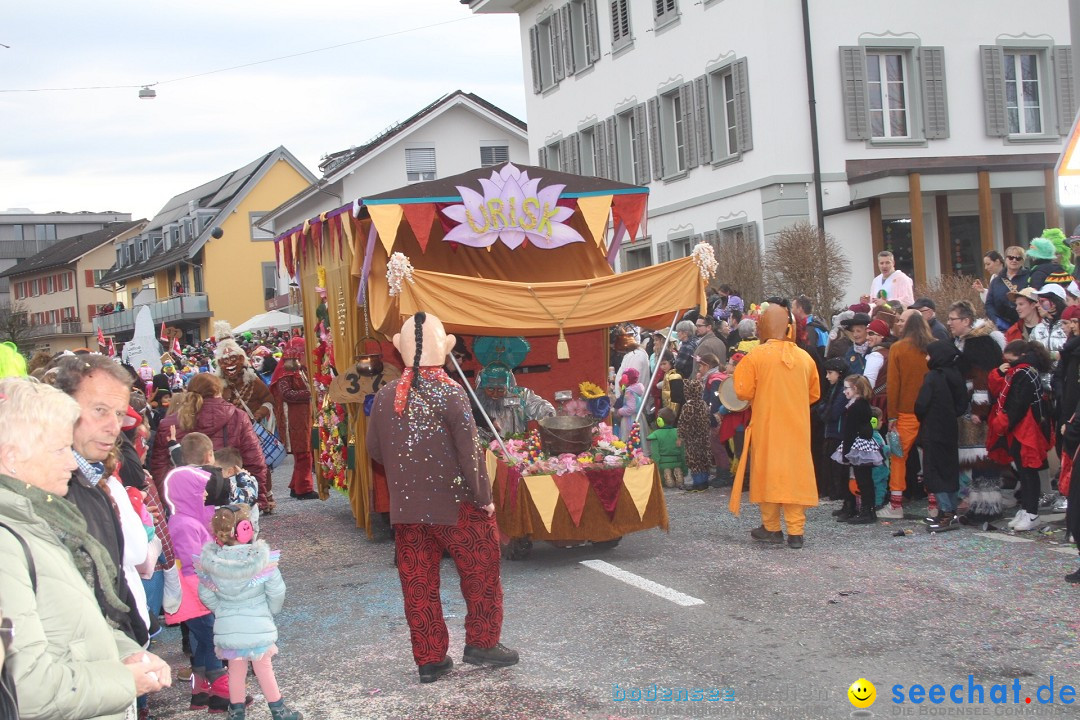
[(202, 411)]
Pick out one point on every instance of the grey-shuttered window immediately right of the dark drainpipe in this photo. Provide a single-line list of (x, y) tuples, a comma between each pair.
[(895, 94)]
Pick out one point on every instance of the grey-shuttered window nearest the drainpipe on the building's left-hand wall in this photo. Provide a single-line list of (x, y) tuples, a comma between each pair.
[(724, 96)]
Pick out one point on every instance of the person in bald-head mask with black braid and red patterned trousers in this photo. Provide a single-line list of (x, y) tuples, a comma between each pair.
[(423, 431)]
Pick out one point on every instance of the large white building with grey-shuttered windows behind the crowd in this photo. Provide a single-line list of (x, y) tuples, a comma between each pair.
[(938, 124)]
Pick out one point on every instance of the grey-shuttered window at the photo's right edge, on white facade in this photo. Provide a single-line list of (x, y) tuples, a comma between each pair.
[(1029, 91)]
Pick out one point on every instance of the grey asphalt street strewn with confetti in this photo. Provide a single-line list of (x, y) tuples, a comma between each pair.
[(778, 633)]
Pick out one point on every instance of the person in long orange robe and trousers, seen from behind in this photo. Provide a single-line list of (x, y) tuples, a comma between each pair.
[(780, 379)]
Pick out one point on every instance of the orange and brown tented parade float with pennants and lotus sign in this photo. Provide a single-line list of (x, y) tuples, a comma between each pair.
[(497, 252)]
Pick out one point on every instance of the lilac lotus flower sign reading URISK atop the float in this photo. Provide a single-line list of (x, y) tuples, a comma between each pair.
[(512, 209)]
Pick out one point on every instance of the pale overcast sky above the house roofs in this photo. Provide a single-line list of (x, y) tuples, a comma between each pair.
[(110, 151)]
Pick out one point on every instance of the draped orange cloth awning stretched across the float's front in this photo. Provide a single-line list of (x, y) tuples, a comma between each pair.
[(477, 306)]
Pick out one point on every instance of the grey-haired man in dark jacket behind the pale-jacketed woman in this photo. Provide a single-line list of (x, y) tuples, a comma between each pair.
[(103, 390)]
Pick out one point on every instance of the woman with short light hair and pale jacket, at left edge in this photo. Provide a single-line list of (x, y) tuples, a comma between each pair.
[(66, 660)]
